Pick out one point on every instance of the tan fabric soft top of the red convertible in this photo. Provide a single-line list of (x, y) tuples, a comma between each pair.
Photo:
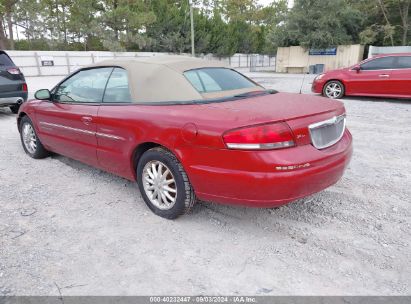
[(161, 78)]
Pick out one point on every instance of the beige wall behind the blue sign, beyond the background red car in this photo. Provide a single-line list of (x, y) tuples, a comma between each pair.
[(296, 59)]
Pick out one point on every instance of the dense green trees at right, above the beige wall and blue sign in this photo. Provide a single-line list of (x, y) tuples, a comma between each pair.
[(326, 23)]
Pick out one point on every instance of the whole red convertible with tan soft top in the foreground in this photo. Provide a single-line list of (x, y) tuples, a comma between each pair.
[(185, 128)]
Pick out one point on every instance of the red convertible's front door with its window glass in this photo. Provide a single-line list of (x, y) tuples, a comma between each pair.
[(67, 124)]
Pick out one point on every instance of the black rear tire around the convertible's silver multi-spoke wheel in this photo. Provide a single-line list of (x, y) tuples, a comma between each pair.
[(184, 197)]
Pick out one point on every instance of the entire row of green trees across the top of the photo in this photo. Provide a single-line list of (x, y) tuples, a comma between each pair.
[(222, 27)]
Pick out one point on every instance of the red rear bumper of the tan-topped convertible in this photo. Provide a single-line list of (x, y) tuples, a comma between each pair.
[(304, 171)]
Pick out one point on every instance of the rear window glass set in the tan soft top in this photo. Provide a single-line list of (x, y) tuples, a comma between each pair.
[(209, 80)]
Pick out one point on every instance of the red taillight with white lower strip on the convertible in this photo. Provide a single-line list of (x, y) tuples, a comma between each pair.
[(262, 137)]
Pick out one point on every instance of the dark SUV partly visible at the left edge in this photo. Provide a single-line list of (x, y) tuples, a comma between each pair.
[(13, 87)]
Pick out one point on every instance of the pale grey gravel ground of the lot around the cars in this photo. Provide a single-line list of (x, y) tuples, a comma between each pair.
[(66, 228)]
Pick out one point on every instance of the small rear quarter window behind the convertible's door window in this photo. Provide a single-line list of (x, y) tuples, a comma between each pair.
[(117, 89)]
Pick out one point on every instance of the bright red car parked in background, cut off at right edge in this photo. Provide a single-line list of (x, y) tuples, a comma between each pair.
[(386, 75)]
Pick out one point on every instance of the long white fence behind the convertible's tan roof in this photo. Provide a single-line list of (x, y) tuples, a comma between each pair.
[(58, 63)]
